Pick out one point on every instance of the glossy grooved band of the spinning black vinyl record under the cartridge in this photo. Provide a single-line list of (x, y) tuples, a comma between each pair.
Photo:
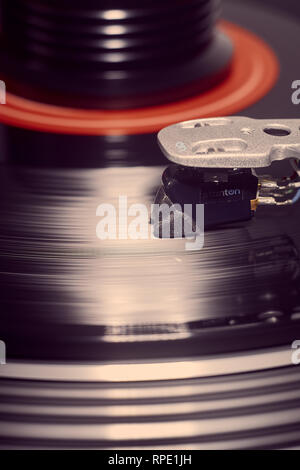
[(67, 295)]
